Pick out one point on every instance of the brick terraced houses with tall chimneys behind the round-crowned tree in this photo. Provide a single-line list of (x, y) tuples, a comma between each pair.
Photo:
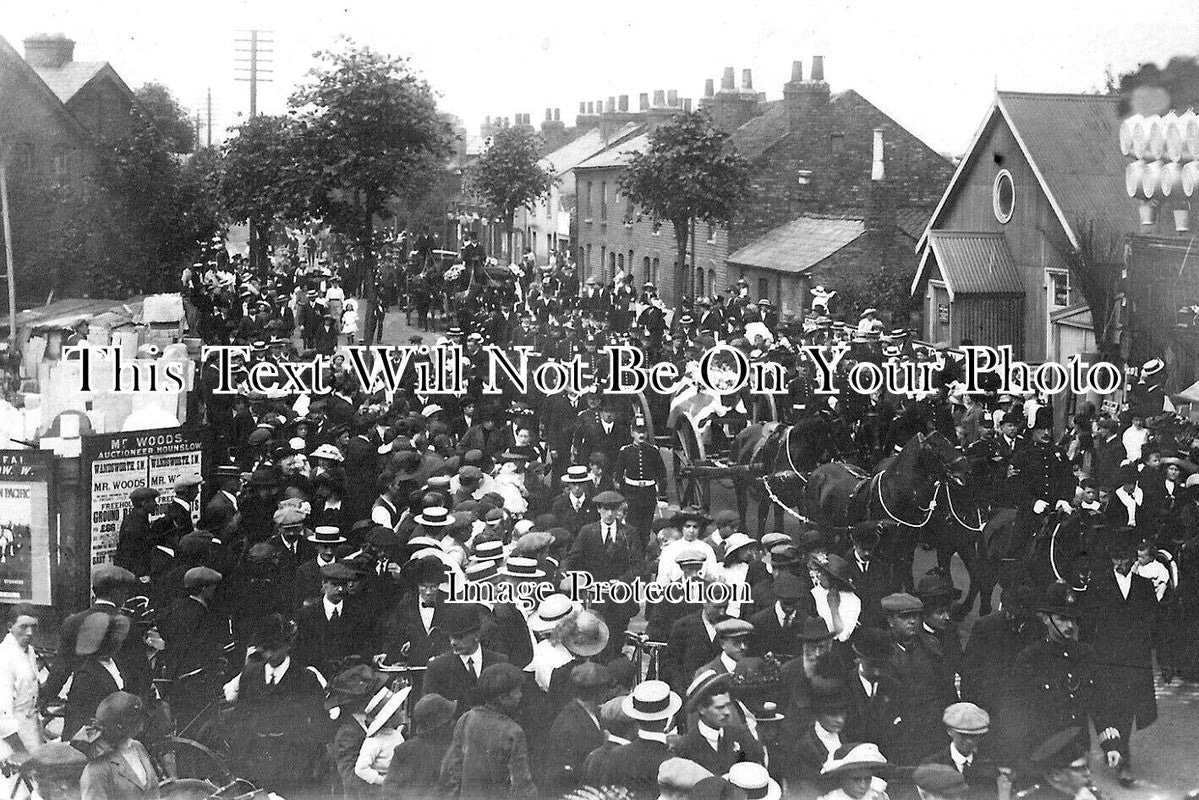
[(811, 153)]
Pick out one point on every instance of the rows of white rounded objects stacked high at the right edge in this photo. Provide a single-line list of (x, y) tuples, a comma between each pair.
[(1166, 152)]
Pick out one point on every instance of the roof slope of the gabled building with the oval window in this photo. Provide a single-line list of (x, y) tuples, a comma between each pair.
[(1074, 142)]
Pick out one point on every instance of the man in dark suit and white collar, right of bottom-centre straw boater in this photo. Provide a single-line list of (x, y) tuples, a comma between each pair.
[(716, 742)]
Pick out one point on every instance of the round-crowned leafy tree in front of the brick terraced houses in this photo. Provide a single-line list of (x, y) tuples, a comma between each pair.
[(688, 176)]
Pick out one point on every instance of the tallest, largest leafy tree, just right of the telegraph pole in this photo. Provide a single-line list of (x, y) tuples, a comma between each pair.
[(367, 127)]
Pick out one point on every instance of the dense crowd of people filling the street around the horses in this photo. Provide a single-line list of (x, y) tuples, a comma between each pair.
[(306, 616)]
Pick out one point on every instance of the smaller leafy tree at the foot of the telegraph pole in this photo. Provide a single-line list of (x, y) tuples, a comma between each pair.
[(261, 179)]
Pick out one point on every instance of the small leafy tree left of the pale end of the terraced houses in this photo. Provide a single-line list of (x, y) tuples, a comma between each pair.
[(509, 177)]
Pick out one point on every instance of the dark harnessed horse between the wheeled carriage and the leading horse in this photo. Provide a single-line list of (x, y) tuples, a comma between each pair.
[(779, 459)]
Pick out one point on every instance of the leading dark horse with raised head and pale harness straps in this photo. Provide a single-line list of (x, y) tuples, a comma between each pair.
[(902, 492)]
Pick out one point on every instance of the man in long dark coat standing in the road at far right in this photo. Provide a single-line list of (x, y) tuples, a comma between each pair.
[(1122, 625)]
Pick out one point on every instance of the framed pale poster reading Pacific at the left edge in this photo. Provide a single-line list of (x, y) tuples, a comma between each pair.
[(26, 526)]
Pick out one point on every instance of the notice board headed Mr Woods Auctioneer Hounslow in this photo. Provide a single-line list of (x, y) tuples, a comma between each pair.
[(116, 465)]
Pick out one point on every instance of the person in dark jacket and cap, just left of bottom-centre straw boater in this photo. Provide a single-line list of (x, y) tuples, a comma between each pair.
[(576, 731)]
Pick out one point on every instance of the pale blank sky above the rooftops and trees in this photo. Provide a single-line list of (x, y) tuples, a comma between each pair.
[(932, 65)]
